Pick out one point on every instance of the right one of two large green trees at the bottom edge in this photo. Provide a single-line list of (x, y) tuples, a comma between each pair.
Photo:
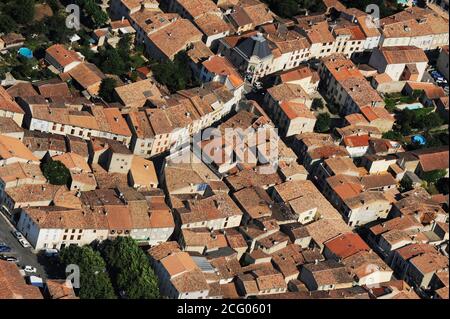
[(129, 268)]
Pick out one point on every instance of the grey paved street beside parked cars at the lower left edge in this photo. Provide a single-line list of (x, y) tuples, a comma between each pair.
[(25, 255)]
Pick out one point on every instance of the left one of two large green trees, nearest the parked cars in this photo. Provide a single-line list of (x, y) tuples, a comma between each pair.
[(94, 280)]
